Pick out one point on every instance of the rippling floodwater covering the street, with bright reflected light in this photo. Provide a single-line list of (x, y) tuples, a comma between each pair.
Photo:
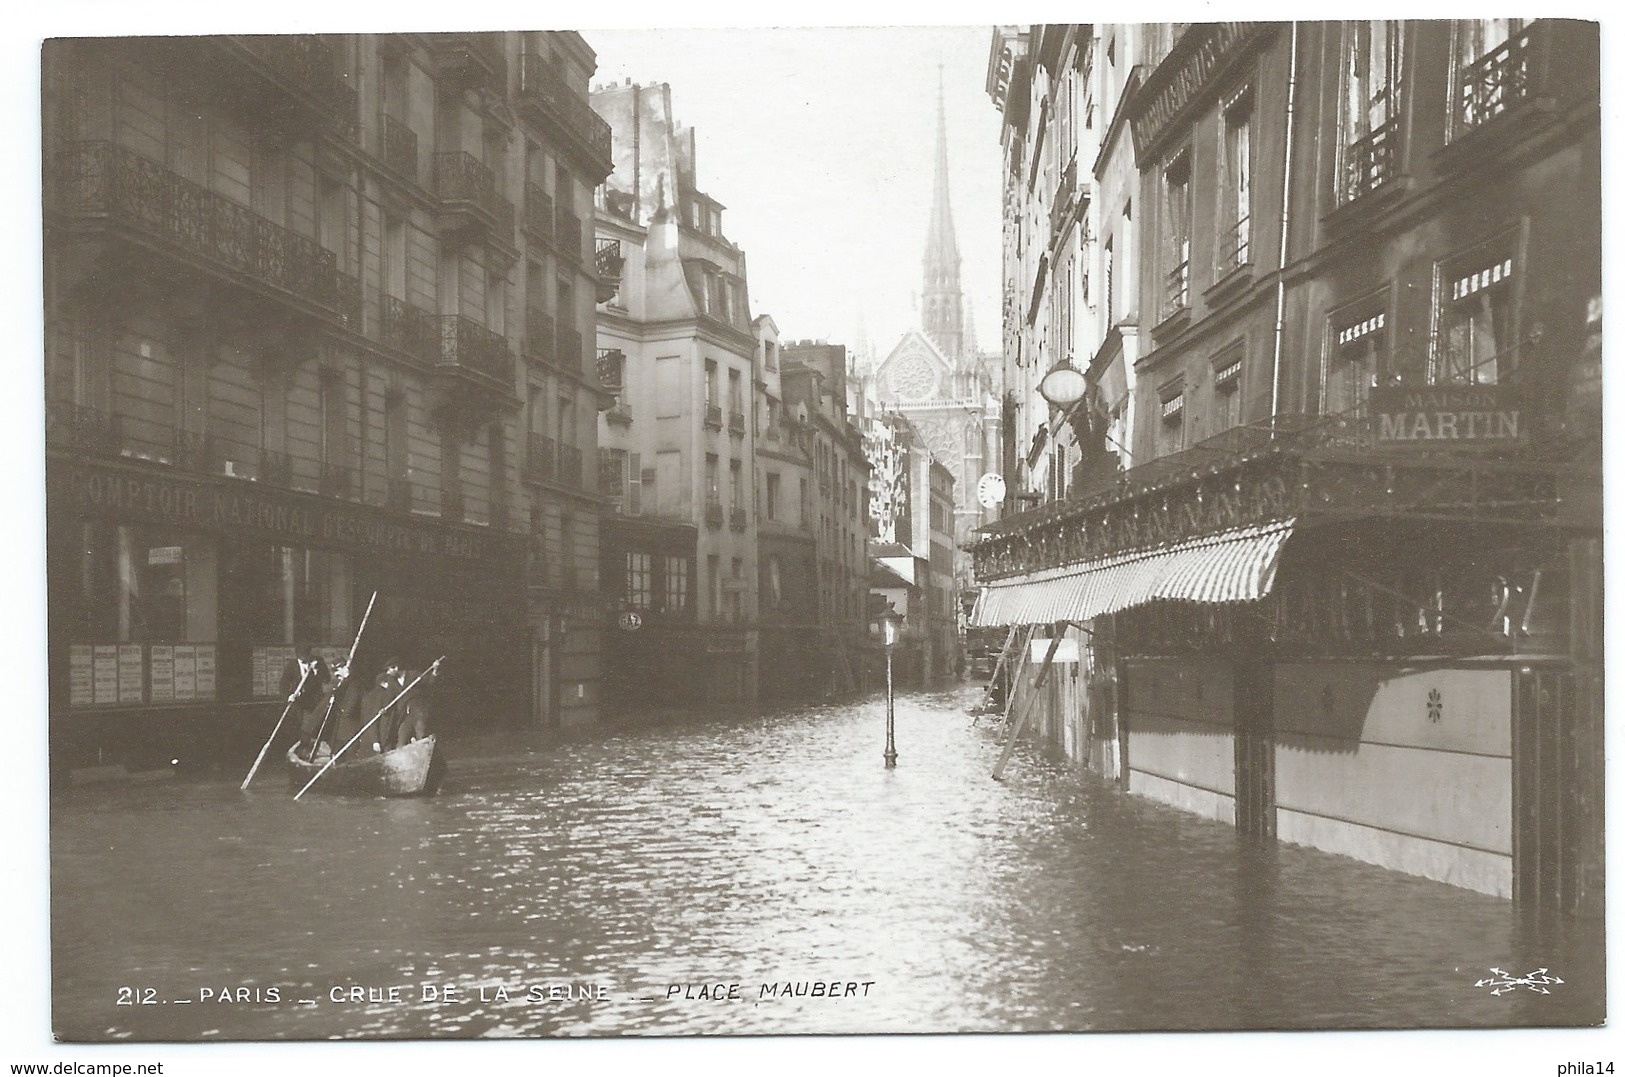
[(734, 875)]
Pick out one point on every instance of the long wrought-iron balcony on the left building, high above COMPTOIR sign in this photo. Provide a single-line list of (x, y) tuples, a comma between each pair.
[(100, 188)]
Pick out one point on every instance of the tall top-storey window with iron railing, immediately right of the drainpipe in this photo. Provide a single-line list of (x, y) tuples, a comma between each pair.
[(1371, 108)]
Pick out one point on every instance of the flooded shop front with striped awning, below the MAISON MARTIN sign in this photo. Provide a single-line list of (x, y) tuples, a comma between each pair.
[(1369, 657)]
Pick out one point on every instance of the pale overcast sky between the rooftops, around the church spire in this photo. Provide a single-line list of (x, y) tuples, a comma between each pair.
[(821, 144)]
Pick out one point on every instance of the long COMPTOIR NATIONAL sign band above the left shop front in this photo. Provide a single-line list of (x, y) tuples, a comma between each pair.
[(235, 508)]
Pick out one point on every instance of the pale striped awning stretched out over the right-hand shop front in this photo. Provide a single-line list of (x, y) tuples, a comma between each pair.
[(1229, 568)]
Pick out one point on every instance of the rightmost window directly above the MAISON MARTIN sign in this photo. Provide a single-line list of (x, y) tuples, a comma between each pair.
[(1475, 340)]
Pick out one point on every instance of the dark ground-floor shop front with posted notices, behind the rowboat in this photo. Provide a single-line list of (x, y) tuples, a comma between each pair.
[(178, 602)]
